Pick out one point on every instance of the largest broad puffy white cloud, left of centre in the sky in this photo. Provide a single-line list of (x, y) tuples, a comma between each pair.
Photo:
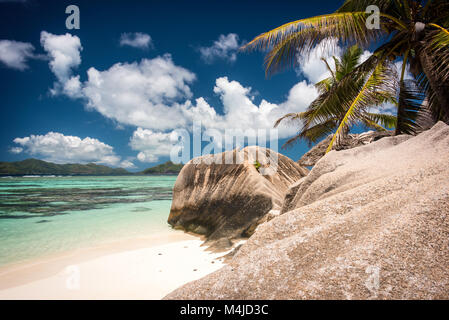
[(143, 94)]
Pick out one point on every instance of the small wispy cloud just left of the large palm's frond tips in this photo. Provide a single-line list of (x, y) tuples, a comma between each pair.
[(224, 48)]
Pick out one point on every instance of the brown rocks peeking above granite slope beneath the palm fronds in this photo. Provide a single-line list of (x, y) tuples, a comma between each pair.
[(351, 141)]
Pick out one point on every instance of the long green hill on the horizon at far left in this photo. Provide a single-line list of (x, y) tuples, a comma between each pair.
[(39, 167)]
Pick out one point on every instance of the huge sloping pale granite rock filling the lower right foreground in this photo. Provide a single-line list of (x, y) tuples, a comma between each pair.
[(366, 223)]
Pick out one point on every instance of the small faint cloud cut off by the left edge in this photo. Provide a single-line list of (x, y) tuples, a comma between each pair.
[(14, 54)]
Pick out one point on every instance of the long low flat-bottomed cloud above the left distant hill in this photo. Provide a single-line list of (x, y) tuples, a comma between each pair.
[(58, 148)]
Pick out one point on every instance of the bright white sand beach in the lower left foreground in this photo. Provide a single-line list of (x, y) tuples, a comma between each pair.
[(136, 269)]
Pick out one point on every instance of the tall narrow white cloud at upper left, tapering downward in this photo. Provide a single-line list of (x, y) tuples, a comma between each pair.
[(64, 52)]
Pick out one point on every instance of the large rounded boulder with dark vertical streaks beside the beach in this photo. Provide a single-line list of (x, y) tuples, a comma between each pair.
[(227, 200)]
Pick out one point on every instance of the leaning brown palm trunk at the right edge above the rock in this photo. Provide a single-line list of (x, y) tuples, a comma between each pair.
[(441, 90)]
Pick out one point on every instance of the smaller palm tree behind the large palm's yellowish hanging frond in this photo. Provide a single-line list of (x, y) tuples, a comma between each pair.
[(329, 110)]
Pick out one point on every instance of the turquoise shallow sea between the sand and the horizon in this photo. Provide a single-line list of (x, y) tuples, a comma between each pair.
[(46, 215)]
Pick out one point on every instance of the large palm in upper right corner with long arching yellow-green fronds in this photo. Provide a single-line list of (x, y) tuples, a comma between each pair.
[(412, 30)]
